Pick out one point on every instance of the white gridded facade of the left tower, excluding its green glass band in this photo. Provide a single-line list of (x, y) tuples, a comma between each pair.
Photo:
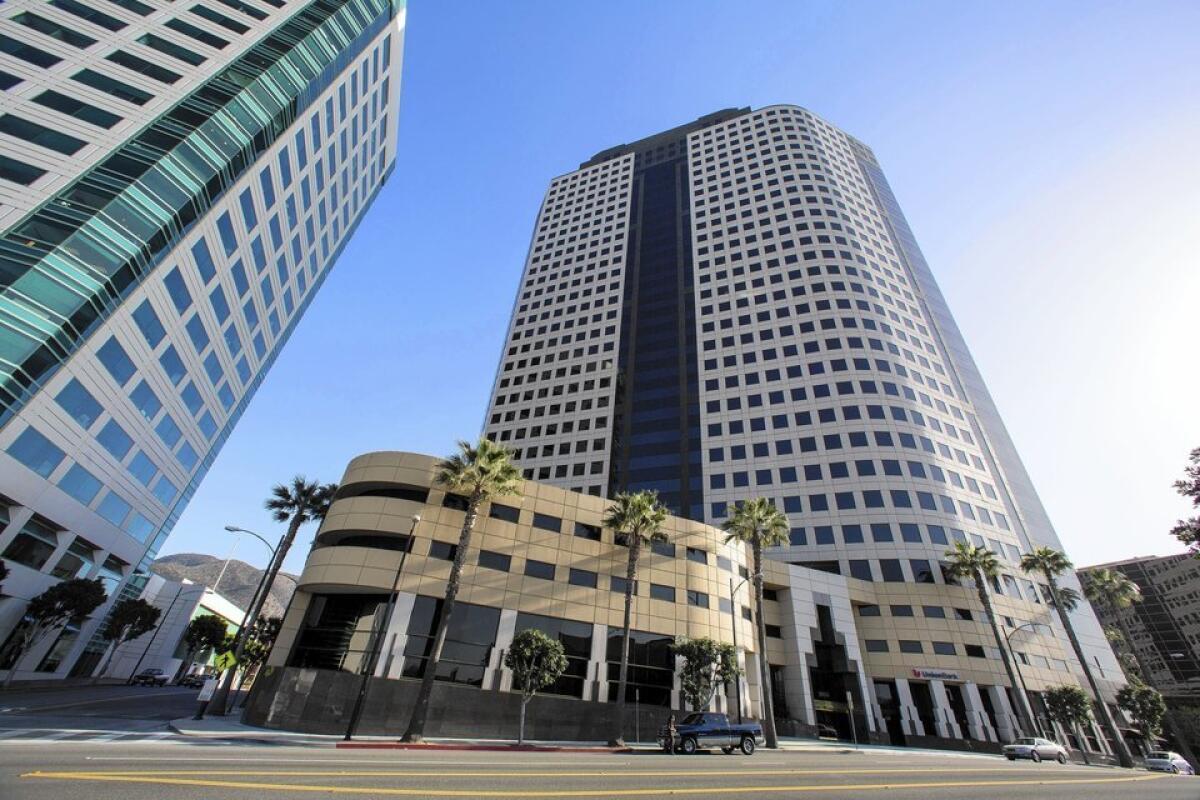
[(109, 450)]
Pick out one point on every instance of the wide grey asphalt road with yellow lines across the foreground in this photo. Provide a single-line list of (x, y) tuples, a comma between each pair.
[(171, 771)]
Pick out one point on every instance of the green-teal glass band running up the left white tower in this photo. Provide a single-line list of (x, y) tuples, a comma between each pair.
[(69, 264)]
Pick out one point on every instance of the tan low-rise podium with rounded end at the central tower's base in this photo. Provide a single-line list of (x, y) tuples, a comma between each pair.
[(914, 660)]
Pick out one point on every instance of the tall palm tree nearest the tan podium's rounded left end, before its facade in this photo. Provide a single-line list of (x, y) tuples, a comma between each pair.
[(481, 472)]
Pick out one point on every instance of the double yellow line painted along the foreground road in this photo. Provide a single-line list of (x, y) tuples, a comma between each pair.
[(569, 793)]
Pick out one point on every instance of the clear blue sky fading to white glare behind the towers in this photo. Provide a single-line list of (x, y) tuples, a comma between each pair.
[(1045, 154)]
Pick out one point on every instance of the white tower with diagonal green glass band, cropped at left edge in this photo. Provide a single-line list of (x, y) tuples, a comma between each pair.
[(176, 183)]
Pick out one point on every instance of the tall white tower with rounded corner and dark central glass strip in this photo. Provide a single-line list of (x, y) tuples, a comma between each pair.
[(737, 308)]
